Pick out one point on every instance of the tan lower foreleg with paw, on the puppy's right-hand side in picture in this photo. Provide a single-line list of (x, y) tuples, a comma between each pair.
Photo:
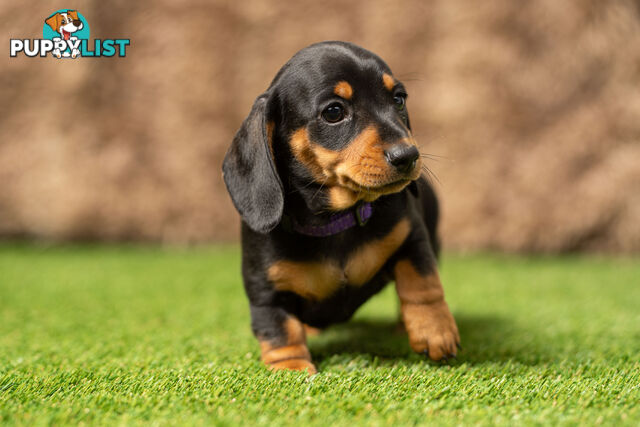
[(426, 315)]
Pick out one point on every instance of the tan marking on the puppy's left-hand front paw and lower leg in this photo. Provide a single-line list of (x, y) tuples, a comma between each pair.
[(294, 355)]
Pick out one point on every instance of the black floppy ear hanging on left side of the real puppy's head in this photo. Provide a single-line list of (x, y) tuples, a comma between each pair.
[(250, 173)]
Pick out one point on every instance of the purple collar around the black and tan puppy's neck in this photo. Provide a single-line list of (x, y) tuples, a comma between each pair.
[(337, 223)]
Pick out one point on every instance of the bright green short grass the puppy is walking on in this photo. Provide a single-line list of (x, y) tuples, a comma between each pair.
[(129, 335)]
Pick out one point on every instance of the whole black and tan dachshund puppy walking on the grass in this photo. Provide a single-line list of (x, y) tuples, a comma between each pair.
[(326, 176)]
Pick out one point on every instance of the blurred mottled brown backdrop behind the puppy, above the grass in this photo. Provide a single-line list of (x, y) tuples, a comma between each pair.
[(534, 105)]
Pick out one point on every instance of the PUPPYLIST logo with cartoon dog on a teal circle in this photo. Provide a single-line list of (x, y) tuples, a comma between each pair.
[(65, 34)]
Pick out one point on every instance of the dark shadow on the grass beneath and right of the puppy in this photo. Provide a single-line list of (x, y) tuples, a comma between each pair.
[(485, 339)]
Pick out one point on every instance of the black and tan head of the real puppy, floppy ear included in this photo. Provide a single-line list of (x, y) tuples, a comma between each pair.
[(334, 123)]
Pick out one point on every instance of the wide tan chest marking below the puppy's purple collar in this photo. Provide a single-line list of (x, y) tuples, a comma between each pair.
[(318, 280)]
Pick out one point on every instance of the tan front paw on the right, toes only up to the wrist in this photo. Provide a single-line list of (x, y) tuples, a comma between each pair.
[(432, 329)]
